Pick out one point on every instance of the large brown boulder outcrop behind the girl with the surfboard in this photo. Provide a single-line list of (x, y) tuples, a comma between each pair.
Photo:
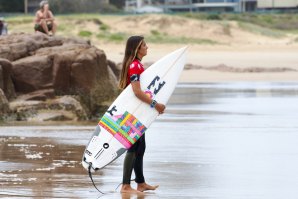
[(37, 69)]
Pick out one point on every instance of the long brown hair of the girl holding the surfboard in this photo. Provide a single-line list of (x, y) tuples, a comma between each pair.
[(132, 46)]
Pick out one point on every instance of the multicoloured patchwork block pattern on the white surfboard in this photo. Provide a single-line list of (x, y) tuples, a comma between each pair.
[(125, 128)]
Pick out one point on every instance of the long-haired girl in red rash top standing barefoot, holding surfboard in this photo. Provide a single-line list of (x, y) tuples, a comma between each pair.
[(135, 50)]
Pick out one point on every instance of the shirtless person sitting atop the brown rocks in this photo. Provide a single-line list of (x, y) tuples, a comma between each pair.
[(44, 19)]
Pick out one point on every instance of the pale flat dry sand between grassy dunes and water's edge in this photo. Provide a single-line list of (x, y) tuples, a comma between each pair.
[(240, 57)]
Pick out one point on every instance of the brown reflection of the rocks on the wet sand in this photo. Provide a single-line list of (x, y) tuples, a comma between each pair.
[(37, 166)]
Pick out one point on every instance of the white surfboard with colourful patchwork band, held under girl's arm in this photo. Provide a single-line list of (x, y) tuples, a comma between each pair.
[(127, 118)]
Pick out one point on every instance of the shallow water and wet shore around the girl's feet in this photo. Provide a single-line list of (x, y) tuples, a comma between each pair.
[(237, 140)]
